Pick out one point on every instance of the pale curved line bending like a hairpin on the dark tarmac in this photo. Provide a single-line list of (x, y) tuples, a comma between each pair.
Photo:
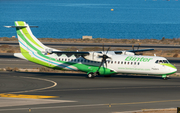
[(55, 84)]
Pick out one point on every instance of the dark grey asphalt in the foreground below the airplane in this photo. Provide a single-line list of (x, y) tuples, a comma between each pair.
[(78, 94)]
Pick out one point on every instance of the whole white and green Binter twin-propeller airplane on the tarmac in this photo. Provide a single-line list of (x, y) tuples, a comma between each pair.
[(93, 63)]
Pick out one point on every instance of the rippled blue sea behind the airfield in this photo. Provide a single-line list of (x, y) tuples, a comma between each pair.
[(130, 19)]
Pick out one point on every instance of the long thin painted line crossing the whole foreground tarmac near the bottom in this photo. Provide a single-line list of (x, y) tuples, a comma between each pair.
[(91, 105)]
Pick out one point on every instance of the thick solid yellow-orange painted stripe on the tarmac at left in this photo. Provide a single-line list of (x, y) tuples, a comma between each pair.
[(26, 96)]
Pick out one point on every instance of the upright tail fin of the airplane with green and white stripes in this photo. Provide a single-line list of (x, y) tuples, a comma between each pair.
[(27, 41)]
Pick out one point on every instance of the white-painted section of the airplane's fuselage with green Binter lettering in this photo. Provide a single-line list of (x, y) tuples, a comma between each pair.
[(134, 64)]
